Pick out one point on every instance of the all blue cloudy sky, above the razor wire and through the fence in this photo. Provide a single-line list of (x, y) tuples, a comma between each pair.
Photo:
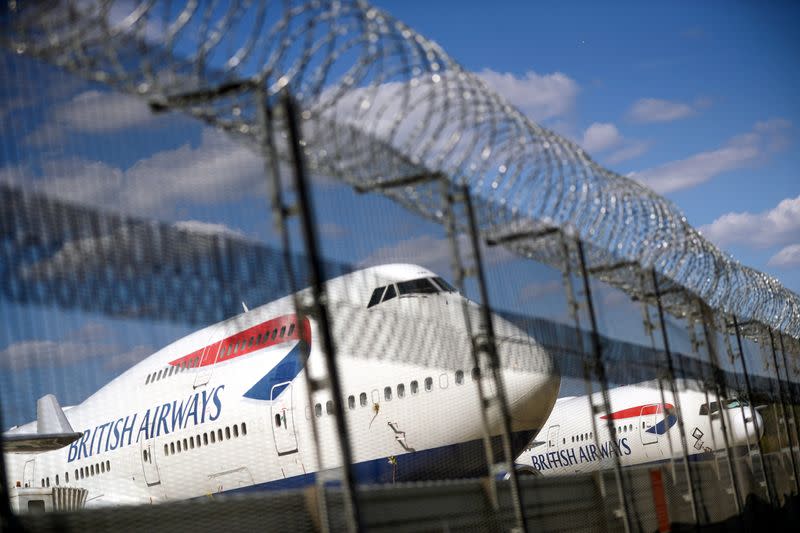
[(698, 101)]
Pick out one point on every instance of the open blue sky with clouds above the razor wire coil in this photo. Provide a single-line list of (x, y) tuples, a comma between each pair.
[(704, 93)]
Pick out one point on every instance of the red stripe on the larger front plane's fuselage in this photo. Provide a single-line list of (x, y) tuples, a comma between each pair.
[(247, 341)]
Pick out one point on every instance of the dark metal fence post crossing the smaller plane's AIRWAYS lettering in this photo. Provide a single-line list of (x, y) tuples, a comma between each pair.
[(600, 371)]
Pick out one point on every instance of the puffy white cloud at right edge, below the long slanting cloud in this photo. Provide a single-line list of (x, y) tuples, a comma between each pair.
[(777, 226)]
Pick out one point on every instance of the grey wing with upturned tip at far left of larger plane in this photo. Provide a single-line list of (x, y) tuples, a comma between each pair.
[(53, 430)]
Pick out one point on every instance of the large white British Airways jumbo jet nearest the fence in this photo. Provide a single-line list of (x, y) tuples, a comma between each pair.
[(225, 409)]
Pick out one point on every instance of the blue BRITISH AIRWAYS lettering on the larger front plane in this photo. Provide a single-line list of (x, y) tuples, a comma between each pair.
[(161, 420)]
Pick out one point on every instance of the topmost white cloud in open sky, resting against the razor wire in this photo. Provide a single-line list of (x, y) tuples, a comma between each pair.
[(540, 96)]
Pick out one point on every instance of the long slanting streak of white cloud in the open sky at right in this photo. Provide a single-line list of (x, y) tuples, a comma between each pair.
[(765, 138)]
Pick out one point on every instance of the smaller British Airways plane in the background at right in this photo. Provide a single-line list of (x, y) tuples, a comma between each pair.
[(645, 426)]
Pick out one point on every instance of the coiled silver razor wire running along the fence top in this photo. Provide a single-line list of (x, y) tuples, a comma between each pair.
[(386, 109)]
